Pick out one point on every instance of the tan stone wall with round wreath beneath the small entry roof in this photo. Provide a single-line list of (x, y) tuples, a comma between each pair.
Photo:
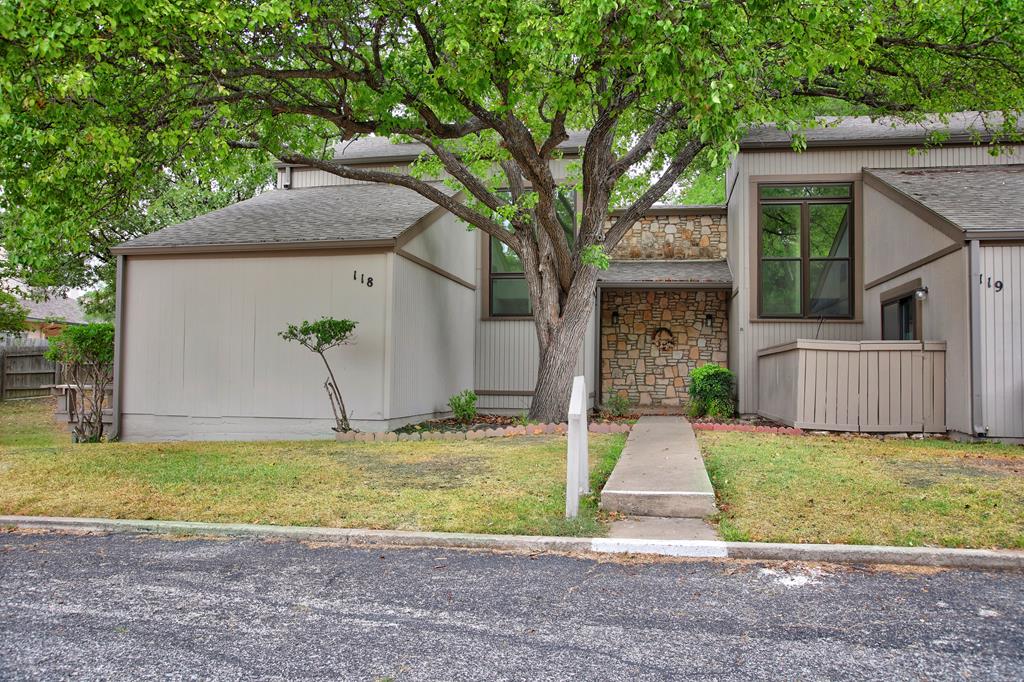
[(632, 363)]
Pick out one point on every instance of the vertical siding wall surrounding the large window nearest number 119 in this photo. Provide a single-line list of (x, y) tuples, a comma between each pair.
[(751, 337)]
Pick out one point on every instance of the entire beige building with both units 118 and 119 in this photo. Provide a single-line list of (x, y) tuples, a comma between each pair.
[(818, 259)]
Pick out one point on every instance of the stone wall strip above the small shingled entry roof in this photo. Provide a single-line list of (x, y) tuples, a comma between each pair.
[(674, 238)]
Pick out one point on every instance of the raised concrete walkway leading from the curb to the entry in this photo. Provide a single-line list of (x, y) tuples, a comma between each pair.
[(661, 484)]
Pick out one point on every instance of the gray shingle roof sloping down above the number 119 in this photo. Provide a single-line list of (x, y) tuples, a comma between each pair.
[(973, 198)]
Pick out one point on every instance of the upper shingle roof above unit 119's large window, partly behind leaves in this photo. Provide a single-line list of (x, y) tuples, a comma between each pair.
[(863, 132)]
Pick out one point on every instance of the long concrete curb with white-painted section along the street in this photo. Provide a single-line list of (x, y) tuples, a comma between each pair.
[(975, 560)]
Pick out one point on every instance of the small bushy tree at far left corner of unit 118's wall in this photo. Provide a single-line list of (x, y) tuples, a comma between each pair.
[(87, 354)]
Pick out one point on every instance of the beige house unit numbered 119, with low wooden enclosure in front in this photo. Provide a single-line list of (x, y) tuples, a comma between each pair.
[(878, 285)]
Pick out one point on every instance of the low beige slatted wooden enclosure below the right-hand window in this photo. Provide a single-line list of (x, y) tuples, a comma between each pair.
[(873, 387)]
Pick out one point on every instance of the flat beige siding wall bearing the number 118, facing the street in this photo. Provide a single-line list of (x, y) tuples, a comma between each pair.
[(202, 358)]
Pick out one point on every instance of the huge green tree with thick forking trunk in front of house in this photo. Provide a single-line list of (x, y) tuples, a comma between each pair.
[(100, 99)]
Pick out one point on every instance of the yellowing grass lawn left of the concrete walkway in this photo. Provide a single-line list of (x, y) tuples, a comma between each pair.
[(504, 486)]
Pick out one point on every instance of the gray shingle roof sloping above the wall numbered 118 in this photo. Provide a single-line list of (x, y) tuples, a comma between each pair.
[(346, 214)]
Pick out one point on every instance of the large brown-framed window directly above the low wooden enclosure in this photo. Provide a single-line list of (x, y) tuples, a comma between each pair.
[(806, 251)]
